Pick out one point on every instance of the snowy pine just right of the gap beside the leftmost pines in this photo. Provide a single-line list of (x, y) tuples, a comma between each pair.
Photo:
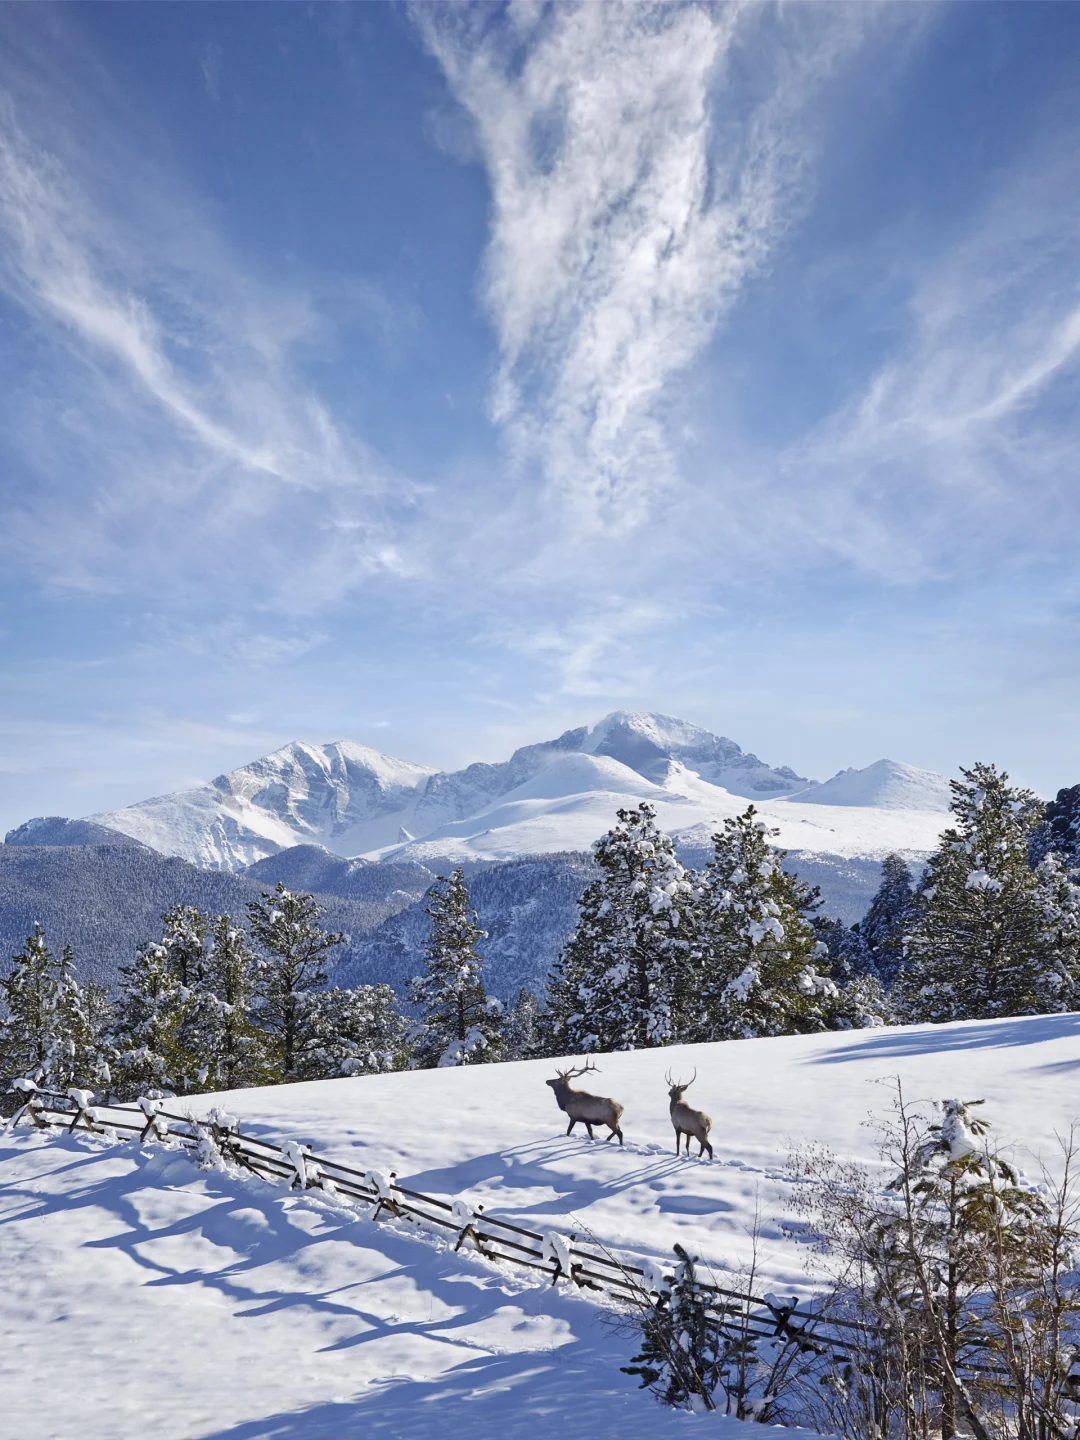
[(146, 1029)]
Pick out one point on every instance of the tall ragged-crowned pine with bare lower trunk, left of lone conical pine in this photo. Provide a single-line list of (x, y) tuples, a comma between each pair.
[(296, 947)]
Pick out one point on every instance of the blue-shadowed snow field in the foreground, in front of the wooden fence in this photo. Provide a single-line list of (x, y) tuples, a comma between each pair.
[(143, 1297)]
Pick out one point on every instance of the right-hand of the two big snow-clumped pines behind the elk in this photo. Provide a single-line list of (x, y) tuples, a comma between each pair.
[(762, 968)]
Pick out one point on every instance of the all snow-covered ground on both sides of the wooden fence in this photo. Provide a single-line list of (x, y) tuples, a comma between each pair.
[(145, 1297)]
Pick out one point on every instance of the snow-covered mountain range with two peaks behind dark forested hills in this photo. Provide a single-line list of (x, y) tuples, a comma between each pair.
[(551, 797)]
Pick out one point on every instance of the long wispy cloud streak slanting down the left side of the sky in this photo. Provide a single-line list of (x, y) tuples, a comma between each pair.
[(178, 404)]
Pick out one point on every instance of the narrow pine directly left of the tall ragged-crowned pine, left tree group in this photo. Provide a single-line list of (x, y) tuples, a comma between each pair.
[(234, 1045)]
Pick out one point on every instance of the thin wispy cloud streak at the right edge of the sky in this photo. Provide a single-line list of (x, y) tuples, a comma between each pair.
[(957, 451)]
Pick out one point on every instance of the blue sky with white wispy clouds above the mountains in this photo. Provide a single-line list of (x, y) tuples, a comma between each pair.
[(441, 378)]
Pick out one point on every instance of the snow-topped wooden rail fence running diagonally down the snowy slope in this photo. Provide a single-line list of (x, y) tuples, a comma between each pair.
[(562, 1258)]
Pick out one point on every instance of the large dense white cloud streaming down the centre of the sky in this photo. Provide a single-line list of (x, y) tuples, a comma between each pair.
[(644, 161)]
